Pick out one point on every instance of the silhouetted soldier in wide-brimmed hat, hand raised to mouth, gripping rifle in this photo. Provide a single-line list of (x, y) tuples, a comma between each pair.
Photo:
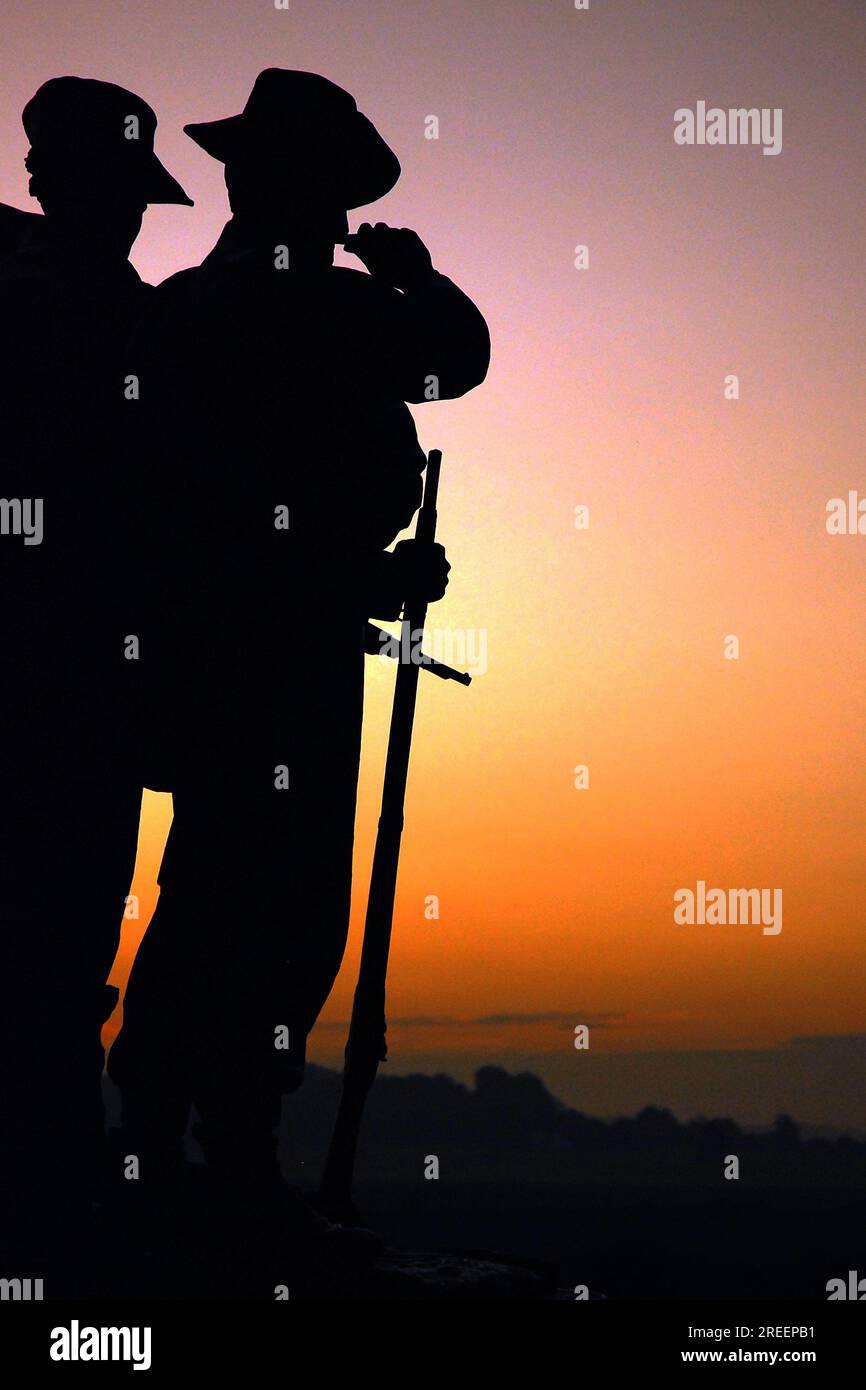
[(275, 387)]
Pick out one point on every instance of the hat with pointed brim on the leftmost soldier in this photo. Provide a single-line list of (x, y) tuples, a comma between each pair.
[(90, 124)]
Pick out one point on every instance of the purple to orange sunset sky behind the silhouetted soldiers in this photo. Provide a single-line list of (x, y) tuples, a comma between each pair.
[(605, 647)]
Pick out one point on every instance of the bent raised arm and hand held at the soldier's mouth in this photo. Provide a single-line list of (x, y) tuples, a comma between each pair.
[(439, 338)]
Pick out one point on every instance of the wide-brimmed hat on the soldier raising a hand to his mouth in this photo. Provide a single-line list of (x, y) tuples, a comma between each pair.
[(330, 148)]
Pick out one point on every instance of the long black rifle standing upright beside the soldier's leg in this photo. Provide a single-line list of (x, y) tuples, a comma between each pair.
[(368, 1047)]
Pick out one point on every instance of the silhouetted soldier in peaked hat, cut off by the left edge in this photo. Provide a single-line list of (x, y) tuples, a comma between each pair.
[(70, 790)]
